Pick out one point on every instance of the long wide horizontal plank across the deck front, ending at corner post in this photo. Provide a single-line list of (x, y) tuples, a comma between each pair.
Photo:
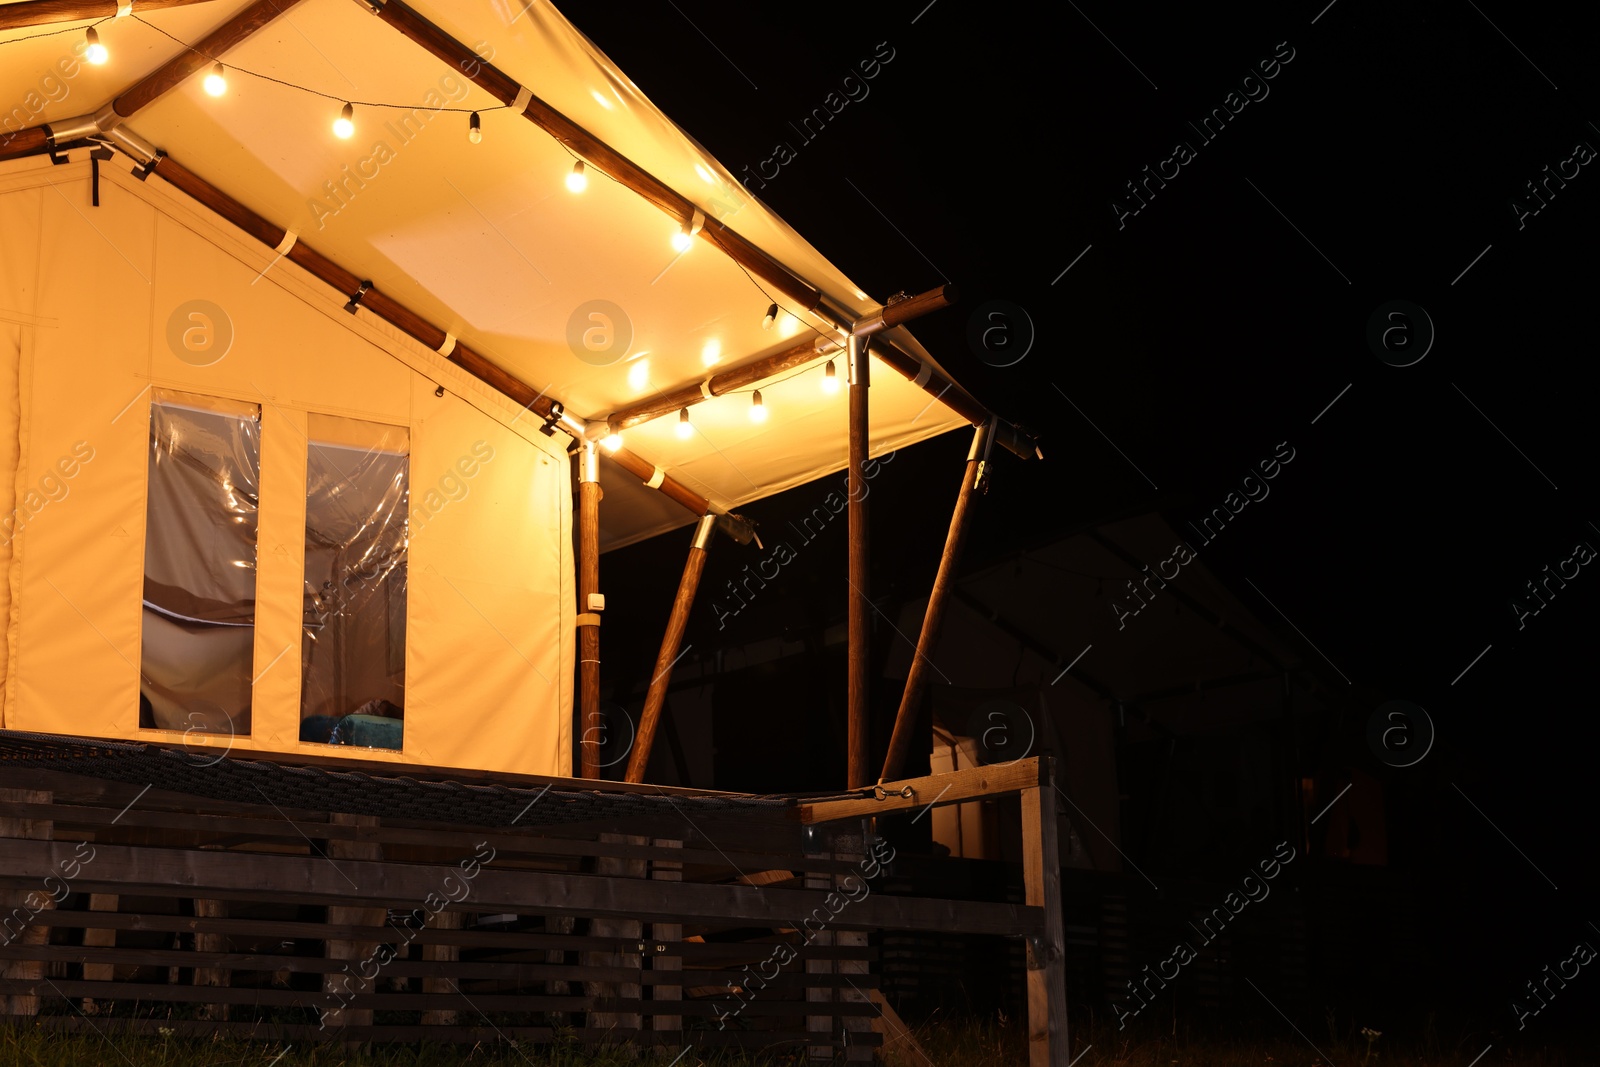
[(239, 876)]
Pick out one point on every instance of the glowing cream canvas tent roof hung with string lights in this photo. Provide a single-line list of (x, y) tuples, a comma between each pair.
[(484, 239)]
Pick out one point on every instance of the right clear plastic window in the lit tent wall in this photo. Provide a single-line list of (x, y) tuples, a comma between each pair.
[(353, 655)]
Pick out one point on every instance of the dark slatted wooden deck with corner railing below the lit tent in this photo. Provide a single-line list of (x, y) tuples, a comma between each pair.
[(143, 908)]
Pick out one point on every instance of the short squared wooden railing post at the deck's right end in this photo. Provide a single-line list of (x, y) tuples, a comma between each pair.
[(1047, 978)]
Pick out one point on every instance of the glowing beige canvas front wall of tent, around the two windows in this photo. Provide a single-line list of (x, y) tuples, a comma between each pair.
[(489, 551)]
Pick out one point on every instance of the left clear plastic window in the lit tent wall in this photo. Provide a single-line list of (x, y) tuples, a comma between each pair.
[(201, 565)]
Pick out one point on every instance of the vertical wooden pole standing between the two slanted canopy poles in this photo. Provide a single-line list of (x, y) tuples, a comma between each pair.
[(858, 725)]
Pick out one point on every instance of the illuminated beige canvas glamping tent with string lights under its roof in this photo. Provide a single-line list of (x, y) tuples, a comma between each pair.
[(313, 319)]
